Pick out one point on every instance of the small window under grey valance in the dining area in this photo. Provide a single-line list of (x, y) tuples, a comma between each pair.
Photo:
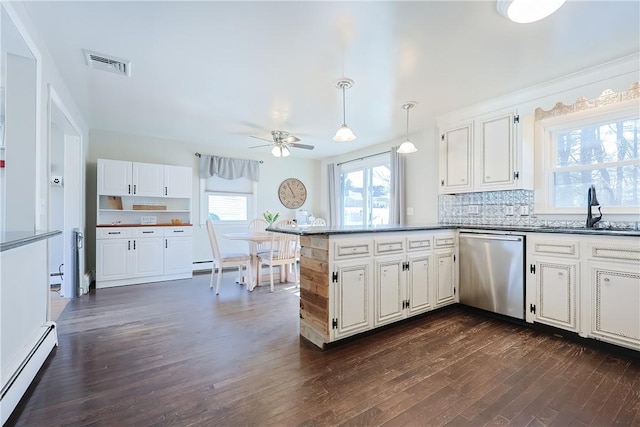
[(228, 201)]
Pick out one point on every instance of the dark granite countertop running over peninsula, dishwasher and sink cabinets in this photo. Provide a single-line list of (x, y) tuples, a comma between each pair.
[(312, 230)]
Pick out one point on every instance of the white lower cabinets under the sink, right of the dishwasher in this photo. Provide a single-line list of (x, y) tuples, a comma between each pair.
[(586, 284)]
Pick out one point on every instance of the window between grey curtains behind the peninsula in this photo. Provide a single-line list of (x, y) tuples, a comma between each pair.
[(365, 192)]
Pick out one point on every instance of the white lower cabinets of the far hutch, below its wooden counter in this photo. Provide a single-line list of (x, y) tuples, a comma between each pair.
[(131, 255)]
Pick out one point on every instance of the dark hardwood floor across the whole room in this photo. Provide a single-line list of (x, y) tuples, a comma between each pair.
[(174, 353)]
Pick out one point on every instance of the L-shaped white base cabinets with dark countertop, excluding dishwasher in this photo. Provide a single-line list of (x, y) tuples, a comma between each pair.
[(354, 279)]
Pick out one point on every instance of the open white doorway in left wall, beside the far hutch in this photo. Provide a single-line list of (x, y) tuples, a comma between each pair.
[(65, 204)]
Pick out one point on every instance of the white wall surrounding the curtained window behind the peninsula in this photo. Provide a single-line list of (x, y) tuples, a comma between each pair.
[(421, 175)]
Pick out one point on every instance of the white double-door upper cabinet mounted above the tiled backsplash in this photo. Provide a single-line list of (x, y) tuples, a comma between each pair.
[(486, 153)]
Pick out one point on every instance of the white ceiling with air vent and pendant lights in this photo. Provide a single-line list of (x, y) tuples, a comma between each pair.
[(217, 72)]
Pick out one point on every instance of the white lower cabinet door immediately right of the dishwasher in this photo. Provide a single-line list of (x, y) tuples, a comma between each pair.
[(556, 292)]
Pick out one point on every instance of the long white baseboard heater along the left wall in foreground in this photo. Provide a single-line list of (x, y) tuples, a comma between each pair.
[(16, 384)]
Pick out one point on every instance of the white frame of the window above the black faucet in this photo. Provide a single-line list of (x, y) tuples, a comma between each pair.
[(545, 147)]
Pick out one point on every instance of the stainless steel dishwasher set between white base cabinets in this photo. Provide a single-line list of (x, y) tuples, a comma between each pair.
[(492, 272)]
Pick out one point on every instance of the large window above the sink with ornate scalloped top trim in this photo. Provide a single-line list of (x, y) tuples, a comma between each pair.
[(593, 142)]
